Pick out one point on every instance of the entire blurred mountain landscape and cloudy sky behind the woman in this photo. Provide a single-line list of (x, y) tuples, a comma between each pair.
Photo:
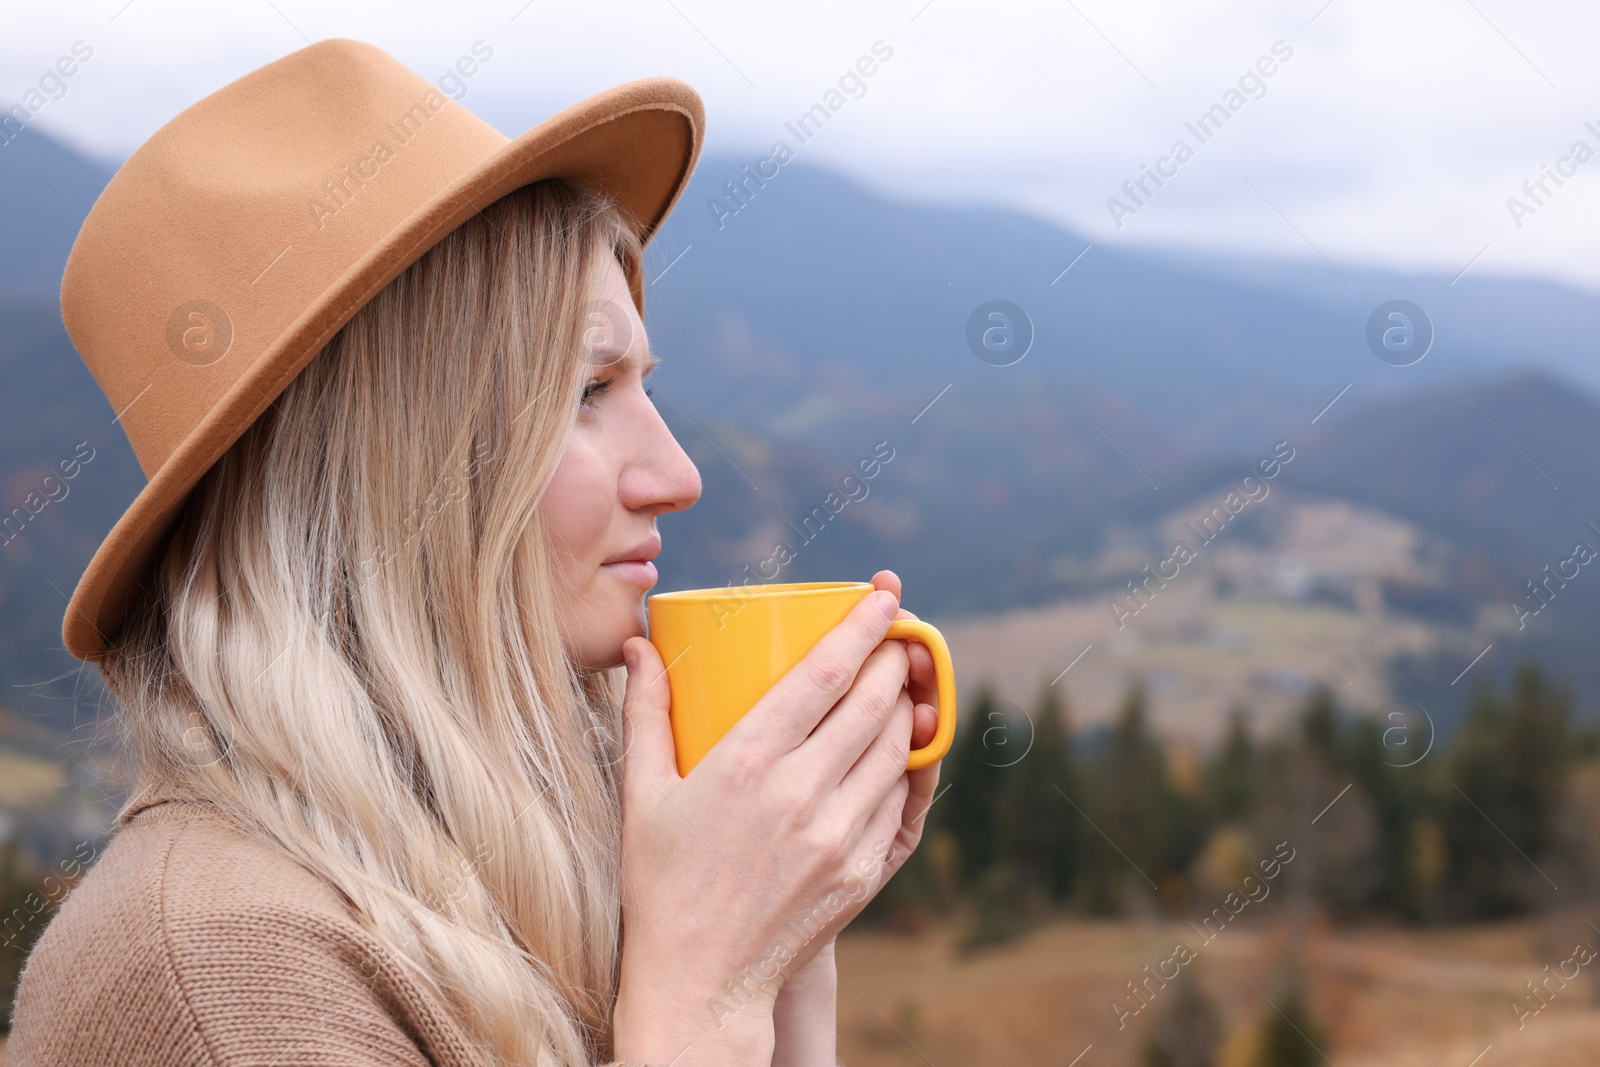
[(1231, 378)]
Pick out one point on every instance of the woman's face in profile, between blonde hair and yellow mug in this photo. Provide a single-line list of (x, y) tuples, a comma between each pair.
[(620, 471)]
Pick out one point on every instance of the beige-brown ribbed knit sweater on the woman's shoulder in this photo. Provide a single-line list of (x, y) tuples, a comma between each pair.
[(191, 943)]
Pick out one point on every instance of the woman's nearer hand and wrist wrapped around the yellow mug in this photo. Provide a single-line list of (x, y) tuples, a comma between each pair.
[(737, 876)]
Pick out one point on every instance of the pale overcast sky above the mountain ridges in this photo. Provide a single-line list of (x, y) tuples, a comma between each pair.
[(1393, 135)]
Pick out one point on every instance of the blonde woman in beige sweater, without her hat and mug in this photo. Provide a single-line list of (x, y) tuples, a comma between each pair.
[(396, 805)]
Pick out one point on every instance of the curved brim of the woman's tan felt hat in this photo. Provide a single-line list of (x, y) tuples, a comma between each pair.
[(638, 142)]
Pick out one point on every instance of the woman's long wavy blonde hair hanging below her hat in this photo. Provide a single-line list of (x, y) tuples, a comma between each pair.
[(351, 645)]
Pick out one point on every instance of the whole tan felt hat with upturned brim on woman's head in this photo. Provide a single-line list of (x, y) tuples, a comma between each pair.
[(238, 241)]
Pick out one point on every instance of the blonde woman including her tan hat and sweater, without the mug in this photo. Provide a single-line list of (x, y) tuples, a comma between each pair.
[(396, 802)]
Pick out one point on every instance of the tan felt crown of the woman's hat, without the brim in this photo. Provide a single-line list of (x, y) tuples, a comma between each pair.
[(239, 214)]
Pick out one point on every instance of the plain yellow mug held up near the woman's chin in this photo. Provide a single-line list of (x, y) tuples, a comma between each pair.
[(726, 649)]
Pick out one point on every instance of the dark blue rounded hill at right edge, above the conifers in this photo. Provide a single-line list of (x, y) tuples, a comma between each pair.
[(1506, 473)]
